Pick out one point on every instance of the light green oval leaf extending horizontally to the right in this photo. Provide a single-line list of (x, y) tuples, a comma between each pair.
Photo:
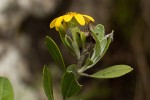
[(113, 71)]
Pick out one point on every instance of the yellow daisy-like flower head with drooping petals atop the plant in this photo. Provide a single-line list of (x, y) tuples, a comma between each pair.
[(80, 18)]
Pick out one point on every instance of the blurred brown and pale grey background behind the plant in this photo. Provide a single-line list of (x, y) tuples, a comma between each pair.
[(25, 23)]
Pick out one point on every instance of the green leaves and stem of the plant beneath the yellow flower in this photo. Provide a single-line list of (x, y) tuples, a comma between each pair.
[(88, 47)]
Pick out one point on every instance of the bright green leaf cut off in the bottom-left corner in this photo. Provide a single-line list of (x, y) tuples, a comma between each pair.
[(6, 89)]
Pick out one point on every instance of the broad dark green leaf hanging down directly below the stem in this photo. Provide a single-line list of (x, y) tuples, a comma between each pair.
[(70, 85)]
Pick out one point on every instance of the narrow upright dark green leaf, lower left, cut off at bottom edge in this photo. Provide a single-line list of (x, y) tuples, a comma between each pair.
[(47, 83)]
